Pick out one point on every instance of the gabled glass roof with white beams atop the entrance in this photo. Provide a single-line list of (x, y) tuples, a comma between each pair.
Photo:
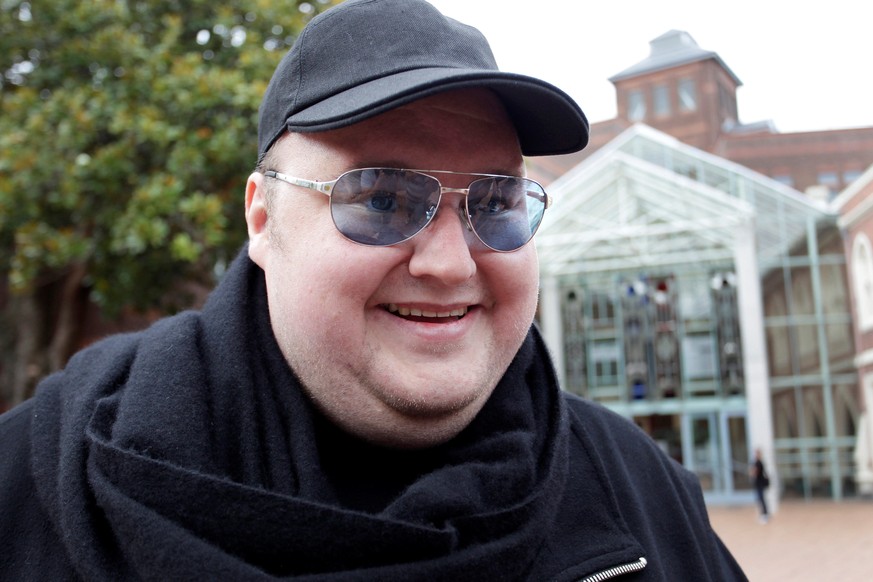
[(647, 198)]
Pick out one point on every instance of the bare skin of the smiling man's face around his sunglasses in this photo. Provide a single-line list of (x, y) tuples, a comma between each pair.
[(336, 306)]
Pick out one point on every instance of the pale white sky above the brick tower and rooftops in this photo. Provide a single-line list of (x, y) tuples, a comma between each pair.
[(805, 65)]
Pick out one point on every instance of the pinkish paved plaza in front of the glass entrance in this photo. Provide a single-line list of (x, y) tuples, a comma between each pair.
[(818, 540)]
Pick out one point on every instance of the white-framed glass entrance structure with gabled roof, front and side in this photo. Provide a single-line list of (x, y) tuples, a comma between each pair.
[(688, 292)]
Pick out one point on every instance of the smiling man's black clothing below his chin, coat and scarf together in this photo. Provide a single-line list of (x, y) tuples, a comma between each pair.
[(188, 452)]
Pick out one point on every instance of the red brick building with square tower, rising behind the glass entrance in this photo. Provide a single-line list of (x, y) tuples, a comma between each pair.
[(691, 94)]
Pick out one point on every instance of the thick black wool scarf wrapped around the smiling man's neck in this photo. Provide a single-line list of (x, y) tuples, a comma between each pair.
[(189, 452)]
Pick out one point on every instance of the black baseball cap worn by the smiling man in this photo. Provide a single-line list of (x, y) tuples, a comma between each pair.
[(365, 57)]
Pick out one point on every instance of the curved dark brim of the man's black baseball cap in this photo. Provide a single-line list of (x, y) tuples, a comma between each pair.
[(547, 120)]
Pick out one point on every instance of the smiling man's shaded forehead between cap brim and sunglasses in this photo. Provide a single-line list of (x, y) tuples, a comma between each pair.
[(467, 130)]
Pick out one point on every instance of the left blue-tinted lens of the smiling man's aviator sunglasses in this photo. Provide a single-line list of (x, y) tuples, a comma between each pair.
[(381, 206)]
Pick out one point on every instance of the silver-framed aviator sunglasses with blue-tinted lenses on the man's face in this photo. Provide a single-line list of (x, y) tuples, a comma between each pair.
[(386, 206)]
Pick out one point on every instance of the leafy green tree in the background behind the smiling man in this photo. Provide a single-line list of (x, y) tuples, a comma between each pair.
[(127, 129)]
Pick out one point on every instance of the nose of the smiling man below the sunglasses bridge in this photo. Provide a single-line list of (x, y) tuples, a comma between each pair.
[(442, 249)]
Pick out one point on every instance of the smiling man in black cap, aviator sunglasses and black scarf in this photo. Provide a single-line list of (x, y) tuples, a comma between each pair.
[(363, 397)]
